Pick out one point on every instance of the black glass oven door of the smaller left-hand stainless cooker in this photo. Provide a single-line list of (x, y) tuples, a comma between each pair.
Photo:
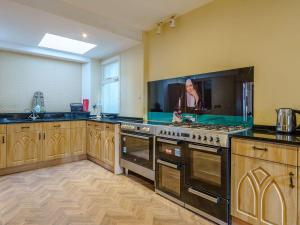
[(137, 148)]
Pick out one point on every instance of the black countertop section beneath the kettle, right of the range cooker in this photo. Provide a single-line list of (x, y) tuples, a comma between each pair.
[(269, 134)]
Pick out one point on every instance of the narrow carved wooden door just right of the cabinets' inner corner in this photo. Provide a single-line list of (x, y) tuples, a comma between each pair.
[(93, 142)]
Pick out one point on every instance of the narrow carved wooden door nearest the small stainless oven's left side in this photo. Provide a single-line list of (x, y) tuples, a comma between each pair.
[(108, 146)]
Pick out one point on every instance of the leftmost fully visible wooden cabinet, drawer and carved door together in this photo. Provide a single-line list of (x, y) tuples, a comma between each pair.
[(24, 144)]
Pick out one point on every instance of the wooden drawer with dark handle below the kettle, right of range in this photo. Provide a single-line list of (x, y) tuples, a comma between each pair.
[(279, 153)]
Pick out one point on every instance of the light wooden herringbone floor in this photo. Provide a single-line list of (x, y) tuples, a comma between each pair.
[(83, 193)]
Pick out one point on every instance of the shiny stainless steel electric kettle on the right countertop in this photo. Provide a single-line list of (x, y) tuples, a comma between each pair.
[(286, 120)]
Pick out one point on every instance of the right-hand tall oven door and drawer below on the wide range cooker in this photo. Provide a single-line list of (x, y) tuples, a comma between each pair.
[(207, 181)]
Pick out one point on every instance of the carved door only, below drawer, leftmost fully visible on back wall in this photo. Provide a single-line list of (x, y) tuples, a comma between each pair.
[(23, 148)]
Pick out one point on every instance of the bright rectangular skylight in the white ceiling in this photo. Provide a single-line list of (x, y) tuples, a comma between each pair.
[(65, 44)]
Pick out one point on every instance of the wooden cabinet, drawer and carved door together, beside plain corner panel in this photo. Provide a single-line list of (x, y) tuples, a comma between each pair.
[(56, 140)]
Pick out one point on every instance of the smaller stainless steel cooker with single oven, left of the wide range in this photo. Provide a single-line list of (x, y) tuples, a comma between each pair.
[(137, 149)]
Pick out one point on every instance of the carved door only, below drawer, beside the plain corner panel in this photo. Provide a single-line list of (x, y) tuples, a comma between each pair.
[(56, 143)]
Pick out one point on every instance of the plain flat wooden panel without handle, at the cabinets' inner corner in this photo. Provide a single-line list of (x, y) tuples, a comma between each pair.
[(78, 138)]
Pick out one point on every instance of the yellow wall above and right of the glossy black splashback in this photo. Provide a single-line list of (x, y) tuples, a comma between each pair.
[(229, 34)]
